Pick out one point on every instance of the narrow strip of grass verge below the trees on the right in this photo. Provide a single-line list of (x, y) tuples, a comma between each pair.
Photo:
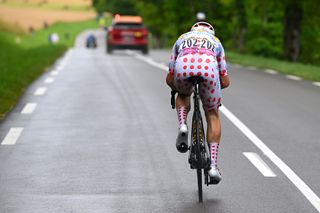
[(308, 72)]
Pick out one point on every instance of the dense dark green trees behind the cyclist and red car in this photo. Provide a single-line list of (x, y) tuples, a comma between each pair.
[(283, 29)]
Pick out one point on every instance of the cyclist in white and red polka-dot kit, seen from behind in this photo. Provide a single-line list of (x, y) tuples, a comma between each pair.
[(199, 53)]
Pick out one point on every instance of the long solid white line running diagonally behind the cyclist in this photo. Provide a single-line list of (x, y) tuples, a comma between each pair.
[(291, 175)]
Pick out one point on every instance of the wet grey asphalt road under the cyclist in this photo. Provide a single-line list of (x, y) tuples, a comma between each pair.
[(99, 136)]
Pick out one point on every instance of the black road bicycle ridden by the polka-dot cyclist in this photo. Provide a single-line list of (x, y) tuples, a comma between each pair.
[(199, 157)]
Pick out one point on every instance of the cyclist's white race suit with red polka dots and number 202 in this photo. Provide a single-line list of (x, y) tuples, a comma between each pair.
[(199, 53)]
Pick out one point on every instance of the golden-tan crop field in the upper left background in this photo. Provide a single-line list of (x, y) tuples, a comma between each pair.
[(34, 14)]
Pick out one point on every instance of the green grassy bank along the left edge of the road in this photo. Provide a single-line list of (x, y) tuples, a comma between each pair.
[(21, 63)]
